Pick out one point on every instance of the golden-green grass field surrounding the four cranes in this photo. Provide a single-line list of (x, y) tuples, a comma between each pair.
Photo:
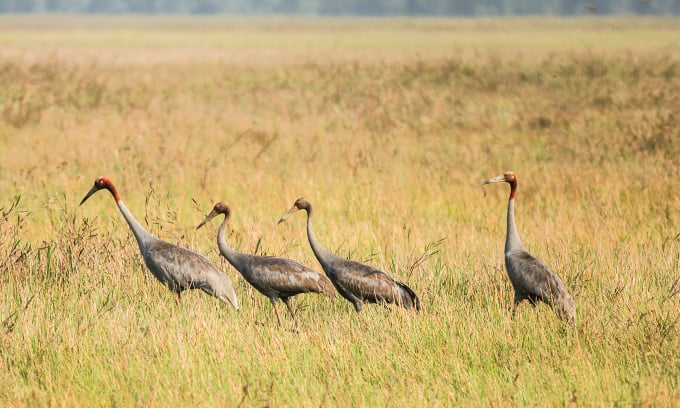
[(388, 127)]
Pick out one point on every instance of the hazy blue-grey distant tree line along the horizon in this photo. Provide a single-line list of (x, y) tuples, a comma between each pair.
[(348, 7)]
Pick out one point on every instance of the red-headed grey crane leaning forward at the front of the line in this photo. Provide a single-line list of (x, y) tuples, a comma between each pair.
[(176, 267)]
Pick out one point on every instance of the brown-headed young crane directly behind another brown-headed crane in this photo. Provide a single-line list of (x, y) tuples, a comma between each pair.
[(356, 282)]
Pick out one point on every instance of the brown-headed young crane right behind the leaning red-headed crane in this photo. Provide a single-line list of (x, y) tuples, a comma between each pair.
[(276, 278)]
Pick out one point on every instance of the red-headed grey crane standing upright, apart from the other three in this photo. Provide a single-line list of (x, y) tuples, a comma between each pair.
[(532, 279)]
